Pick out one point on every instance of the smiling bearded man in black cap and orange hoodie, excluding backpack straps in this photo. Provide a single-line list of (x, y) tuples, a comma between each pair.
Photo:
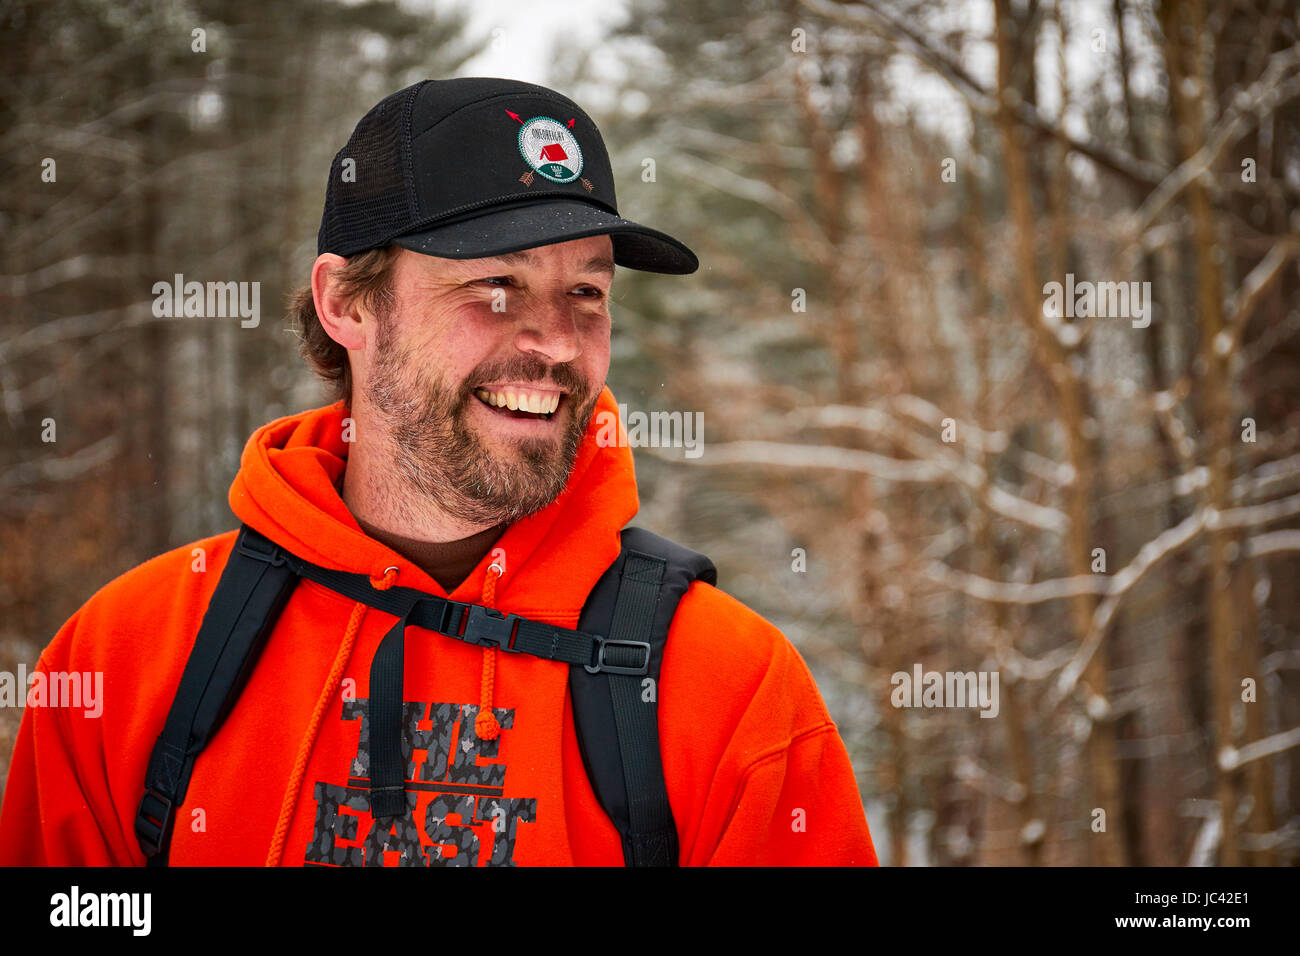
[(460, 309)]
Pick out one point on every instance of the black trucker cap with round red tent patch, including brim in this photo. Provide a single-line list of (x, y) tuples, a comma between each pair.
[(479, 167)]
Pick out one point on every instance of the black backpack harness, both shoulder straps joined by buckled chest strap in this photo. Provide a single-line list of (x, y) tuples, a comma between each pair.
[(634, 603)]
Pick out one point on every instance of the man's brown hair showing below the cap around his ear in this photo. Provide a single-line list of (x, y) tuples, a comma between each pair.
[(367, 275)]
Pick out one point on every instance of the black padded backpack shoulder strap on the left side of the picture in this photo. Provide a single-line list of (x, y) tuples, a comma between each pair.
[(252, 594)]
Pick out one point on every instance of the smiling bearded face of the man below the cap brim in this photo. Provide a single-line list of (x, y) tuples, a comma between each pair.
[(466, 340)]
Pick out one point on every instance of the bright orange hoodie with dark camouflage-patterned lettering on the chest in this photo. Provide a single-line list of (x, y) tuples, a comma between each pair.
[(755, 767)]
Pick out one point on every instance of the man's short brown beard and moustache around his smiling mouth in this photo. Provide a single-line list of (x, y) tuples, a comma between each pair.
[(437, 452)]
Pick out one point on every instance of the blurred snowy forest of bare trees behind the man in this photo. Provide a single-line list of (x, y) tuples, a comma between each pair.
[(909, 458)]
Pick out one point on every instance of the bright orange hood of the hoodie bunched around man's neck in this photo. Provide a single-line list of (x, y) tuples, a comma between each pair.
[(288, 490)]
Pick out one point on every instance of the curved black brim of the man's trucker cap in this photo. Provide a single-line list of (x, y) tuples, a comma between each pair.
[(496, 232)]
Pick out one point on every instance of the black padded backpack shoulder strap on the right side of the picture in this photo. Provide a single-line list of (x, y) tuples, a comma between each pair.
[(634, 603)]
